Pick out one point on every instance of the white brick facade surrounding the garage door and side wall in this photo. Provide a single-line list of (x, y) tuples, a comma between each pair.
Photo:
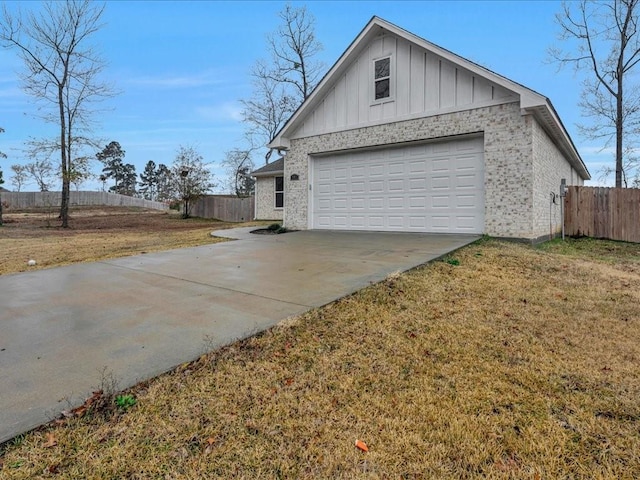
[(522, 165)]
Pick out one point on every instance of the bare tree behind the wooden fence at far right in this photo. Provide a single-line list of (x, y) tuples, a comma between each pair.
[(606, 43)]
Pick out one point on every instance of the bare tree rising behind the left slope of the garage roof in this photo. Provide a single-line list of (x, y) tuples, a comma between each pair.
[(286, 79)]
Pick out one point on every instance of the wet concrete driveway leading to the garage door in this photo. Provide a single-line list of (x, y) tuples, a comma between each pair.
[(140, 316)]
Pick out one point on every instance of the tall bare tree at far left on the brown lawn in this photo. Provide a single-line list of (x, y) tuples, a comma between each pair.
[(61, 71)]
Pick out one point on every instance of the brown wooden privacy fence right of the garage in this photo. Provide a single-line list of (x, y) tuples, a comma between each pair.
[(599, 212)]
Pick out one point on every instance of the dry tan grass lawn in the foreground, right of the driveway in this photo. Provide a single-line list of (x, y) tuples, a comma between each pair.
[(516, 363)]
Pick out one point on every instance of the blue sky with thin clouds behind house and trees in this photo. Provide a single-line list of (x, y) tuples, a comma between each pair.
[(182, 67)]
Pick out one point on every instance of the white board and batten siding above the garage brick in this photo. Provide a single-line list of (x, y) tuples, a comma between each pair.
[(422, 84)]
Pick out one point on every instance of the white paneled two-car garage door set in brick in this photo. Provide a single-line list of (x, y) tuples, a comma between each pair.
[(431, 187)]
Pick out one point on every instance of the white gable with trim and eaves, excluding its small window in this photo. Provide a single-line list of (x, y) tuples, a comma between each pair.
[(429, 80)]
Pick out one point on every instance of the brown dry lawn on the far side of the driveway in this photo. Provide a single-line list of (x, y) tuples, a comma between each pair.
[(96, 234)]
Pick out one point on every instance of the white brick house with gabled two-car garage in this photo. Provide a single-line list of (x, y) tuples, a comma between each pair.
[(403, 135)]
